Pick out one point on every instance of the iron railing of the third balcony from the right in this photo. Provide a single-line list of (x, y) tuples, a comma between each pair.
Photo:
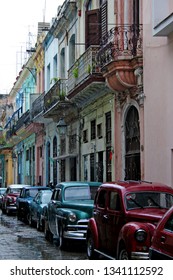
[(57, 93)]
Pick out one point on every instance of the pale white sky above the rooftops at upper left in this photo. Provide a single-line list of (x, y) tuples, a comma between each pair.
[(18, 30)]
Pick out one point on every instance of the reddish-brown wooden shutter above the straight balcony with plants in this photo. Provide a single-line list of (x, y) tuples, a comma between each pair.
[(92, 28)]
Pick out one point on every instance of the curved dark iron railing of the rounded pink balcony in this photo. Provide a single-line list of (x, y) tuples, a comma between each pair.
[(121, 41)]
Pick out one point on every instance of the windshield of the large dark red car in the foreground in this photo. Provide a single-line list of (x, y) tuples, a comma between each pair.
[(148, 199)]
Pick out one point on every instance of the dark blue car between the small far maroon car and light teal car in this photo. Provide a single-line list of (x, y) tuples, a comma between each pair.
[(24, 199)]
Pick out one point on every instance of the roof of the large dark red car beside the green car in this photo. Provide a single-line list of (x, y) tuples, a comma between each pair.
[(137, 186)]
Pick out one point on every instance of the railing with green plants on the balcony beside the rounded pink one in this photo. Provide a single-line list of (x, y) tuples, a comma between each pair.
[(83, 68)]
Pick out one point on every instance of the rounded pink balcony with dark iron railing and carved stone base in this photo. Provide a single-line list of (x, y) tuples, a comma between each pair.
[(121, 53)]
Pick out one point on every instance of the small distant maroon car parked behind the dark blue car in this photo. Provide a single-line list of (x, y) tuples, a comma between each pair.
[(9, 198)]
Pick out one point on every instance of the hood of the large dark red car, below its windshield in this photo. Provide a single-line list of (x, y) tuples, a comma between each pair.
[(147, 214)]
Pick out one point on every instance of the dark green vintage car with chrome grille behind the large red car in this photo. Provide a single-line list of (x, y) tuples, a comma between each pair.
[(66, 215)]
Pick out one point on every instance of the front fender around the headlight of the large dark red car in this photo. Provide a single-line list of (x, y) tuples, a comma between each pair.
[(127, 236)]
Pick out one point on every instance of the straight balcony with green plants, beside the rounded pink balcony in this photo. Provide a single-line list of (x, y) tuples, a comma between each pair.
[(85, 80)]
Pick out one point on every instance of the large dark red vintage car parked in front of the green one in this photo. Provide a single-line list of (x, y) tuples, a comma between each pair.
[(124, 219)]
